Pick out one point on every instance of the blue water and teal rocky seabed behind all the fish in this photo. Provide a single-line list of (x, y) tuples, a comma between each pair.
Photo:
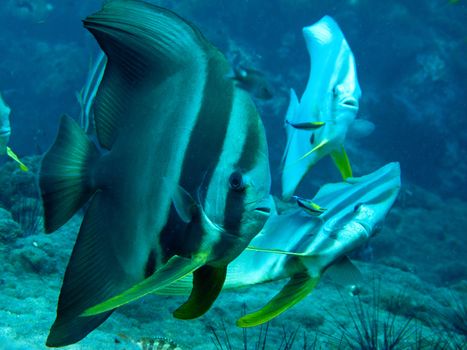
[(412, 67)]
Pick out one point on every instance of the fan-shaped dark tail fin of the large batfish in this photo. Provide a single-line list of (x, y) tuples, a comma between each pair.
[(65, 174)]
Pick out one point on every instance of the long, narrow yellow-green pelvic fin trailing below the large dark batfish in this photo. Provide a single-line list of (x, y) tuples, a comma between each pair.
[(177, 267)]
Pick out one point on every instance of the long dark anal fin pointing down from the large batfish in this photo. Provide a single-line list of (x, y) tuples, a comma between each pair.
[(93, 274)]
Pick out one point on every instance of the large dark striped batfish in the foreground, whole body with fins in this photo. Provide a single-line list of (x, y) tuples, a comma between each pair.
[(182, 186)]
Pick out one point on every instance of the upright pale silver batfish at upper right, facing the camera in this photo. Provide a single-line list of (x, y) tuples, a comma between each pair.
[(317, 124)]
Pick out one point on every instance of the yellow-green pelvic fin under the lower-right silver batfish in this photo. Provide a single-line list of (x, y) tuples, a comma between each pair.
[(298, 287)]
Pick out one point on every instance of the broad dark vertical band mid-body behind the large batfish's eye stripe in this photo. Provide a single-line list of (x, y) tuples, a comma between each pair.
[(203, 152)]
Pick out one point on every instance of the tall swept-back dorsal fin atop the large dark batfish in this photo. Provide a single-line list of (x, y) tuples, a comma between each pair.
[(144, 45)]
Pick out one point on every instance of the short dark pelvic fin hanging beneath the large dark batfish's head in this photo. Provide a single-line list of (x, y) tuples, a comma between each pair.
[(207, 284)]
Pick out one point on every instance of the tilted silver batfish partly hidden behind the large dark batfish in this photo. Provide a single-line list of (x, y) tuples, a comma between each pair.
[(301, 247)]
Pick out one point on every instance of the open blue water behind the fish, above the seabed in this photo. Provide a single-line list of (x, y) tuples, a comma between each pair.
[(412, 67)]
